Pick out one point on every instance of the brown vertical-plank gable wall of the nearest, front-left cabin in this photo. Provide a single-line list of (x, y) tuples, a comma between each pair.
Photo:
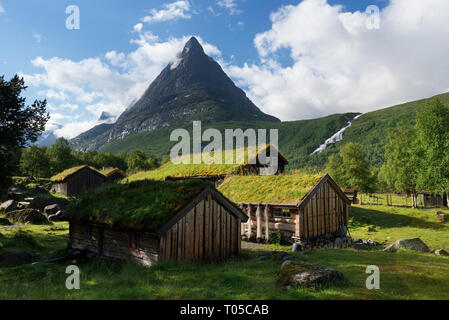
[(208, 232)]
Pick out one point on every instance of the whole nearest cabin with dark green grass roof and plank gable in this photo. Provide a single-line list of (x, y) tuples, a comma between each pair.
[(151, 221)]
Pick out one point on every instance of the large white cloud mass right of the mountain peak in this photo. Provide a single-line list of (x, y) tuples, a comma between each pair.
[(337, 65)]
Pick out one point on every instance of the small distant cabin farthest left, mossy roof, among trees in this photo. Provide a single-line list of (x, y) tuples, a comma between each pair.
[(74, 181)]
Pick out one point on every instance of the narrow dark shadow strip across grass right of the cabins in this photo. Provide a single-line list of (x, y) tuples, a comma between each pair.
[(361, 217)]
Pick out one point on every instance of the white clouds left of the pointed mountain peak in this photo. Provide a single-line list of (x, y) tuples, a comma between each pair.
[(93, 85)]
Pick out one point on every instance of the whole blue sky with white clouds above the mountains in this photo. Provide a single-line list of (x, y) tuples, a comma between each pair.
[(294, 59)]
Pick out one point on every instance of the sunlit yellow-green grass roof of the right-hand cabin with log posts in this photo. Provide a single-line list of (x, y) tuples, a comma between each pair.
[(289, 188)]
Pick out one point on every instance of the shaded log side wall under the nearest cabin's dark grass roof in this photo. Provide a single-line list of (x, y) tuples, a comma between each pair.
[(138, 247)]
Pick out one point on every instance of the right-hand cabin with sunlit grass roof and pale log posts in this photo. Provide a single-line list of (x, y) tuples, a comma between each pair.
[(298, 205)]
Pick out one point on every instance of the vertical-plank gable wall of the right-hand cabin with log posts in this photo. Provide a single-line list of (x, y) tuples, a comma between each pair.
[(325, 212)]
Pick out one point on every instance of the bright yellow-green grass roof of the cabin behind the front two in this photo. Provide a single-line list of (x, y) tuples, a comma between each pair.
[(193, 170)]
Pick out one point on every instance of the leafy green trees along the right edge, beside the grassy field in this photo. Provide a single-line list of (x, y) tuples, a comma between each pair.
[(416, 157)]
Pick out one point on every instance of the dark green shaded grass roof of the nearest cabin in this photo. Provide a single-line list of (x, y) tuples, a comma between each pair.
[(141, 205)]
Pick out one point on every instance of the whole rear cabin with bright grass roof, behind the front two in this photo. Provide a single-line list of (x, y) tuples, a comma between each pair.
[(215, 173)]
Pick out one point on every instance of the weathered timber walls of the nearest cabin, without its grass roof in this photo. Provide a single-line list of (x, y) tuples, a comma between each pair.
[(205, 228)]
